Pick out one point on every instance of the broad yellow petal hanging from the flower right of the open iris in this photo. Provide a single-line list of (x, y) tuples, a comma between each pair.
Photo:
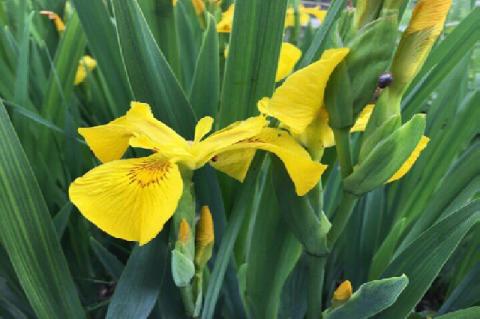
[(298, 100)]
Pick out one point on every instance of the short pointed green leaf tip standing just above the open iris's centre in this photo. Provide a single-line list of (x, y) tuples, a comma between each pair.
[(205, 89)]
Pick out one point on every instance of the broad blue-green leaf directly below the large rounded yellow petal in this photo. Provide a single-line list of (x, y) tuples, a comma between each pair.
[(139, 284)]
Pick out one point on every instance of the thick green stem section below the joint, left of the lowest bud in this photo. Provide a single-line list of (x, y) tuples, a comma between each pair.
[(316, 272)]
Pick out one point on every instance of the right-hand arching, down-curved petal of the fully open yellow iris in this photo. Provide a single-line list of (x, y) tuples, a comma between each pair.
[(304, 172)]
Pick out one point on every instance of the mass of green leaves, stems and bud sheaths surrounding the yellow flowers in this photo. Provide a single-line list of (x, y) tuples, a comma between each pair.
[(410, 248)]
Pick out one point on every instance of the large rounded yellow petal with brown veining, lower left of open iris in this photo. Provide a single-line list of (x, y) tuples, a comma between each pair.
[(130, 199)]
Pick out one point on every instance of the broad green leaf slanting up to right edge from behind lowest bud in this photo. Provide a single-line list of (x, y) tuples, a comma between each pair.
[(425, 257)]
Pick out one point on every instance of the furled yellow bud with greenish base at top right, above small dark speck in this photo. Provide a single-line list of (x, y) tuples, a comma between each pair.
[(425, 26)]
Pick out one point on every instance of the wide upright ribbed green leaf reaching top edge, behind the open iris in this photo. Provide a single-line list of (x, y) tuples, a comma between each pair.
[(252, 62)]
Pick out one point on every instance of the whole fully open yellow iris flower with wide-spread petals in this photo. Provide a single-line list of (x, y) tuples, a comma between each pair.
[(133, 198)]
